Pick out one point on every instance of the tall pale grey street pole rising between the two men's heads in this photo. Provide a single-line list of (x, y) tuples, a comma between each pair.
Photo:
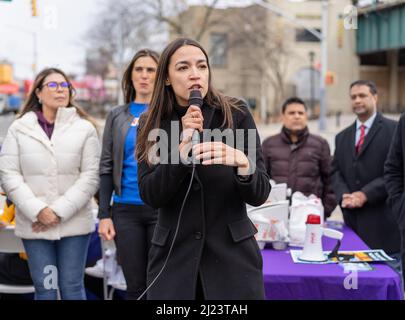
[(324, 65)]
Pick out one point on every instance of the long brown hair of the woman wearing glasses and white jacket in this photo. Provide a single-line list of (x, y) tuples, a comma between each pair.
[(32, 101)]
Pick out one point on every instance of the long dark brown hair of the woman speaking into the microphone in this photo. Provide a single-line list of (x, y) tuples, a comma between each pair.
[(163, 99)]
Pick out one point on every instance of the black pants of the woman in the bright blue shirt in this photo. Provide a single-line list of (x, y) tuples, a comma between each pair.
[(134, 225)]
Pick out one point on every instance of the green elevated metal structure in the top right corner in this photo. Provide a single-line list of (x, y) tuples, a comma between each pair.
[(381, 49)]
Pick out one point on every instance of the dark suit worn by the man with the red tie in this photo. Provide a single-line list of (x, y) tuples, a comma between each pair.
[(351, 172)]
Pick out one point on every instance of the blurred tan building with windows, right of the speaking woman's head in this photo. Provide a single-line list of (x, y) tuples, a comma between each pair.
[(266, 58)]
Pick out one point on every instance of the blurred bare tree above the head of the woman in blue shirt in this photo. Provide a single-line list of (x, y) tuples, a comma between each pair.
[(124, 26)]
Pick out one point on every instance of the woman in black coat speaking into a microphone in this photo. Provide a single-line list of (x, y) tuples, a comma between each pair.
[(203, 245)]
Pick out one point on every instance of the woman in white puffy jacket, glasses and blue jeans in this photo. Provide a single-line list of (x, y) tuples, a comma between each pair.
[(49, 168)]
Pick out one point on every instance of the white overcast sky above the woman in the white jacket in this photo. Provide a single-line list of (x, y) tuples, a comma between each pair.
[(60, 27)]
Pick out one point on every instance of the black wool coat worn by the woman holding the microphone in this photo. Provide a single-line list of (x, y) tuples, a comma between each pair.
[(216, 238)]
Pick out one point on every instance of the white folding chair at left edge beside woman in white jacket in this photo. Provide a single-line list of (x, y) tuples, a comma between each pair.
[(10, 243)]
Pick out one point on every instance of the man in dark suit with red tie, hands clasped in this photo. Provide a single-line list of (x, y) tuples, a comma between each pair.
[(358, 172)]
